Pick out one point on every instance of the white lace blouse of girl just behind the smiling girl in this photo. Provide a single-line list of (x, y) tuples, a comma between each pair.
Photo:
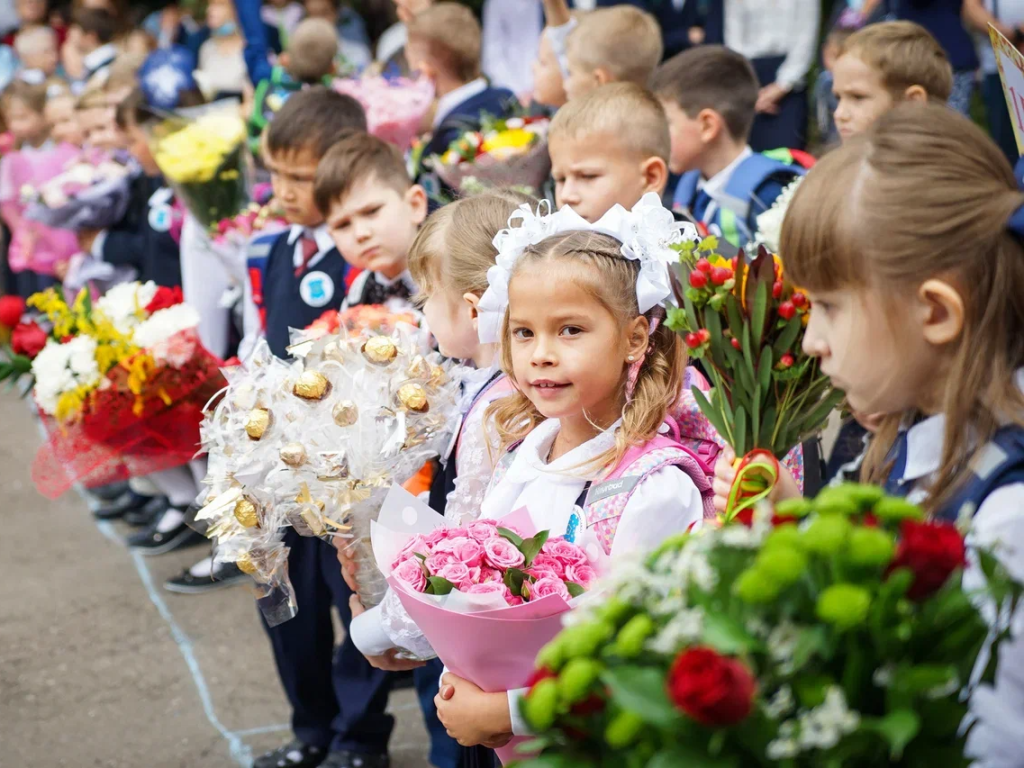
[(389, 625)]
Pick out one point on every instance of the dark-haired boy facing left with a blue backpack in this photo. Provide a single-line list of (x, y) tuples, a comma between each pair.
[(709, 95)]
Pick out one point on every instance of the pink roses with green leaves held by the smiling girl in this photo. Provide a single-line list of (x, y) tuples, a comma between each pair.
[(485, 559)]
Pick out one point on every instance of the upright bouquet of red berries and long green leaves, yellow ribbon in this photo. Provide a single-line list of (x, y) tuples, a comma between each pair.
[(746, 323)]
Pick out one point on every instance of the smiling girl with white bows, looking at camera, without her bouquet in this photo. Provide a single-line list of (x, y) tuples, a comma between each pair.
[(578, 310)]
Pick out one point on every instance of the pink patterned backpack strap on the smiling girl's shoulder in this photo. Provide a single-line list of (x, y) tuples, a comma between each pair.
[(607, 500)]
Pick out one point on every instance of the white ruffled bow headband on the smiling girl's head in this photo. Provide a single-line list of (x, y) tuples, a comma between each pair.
[(646, 233)]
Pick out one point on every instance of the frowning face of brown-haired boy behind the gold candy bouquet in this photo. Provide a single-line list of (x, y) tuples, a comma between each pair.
[(374, 226)]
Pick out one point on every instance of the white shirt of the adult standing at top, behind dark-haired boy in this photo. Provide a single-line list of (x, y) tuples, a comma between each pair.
[(761, 29)]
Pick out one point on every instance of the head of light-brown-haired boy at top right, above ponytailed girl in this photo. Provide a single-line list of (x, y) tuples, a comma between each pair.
[(884, 65)]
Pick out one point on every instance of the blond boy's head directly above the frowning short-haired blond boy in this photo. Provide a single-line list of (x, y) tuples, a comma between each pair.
[(611, 46)]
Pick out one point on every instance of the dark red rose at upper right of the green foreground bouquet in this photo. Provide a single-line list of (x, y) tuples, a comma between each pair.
[(933, 551)]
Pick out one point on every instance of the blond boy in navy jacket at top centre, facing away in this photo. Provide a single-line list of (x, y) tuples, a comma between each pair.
[(444, 46)]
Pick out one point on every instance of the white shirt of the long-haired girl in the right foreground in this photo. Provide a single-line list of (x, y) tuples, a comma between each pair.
[(996, 741)]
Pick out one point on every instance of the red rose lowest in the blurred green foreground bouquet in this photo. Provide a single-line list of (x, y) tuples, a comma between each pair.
[(711, 689)]
